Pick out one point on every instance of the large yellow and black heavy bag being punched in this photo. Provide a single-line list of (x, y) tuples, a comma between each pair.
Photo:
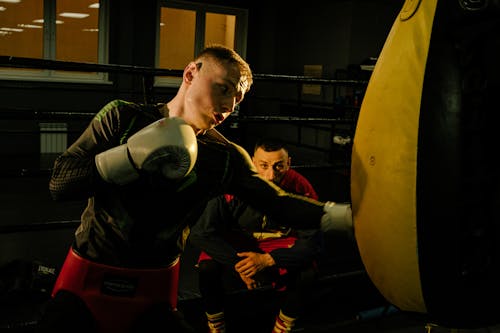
[(425, 184)]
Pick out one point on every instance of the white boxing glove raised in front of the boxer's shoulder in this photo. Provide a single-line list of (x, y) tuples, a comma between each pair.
[(167, 146)]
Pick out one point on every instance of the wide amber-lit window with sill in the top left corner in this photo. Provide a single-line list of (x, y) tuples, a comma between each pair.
[(48, 30)]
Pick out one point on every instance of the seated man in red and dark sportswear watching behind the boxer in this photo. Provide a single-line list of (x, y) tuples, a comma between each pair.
[(235, 237)]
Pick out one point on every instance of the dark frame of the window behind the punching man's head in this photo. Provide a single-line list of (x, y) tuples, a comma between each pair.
[(241, 31)]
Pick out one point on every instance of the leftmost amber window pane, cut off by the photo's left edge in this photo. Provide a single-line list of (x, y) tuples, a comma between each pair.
[(21, 29)]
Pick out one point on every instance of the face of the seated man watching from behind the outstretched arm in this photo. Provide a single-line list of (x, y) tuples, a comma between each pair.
[(271, 165)]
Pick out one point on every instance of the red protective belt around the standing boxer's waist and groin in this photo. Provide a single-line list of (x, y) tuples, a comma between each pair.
[(116, 295)]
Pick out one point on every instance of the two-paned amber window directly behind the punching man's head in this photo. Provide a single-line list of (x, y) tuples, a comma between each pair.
[(186, 28)]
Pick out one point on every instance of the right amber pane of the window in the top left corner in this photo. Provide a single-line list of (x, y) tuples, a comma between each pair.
[(78, 21)]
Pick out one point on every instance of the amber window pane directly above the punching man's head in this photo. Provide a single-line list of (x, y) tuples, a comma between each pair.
[(220, 29)]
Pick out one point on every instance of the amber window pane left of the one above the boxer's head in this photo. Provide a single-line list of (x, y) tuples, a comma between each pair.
[(177, 36)]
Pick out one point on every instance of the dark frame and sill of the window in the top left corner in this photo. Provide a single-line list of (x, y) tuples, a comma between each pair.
[(49, 51)]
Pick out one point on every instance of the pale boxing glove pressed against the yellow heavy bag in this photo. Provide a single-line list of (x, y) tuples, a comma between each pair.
[(337, 218)]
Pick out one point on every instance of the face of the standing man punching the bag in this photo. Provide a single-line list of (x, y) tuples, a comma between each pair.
[(213, 94)]
